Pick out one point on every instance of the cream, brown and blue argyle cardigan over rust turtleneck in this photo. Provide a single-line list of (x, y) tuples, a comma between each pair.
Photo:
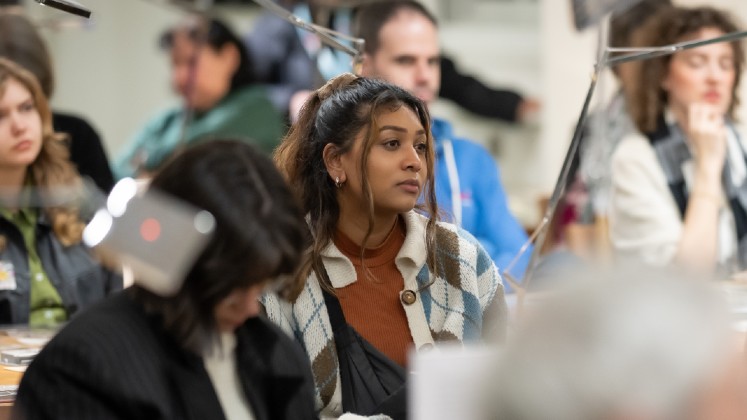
[(451, 308)]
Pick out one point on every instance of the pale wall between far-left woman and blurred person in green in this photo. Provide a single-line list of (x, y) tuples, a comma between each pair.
[(111, 71)]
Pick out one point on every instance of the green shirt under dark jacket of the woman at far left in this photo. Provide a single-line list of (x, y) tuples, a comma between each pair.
[(45, 302)]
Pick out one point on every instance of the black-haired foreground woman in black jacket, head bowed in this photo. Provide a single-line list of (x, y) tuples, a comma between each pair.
[(203, 353)]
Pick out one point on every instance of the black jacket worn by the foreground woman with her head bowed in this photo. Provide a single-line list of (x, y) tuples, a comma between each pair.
[(116, 362)]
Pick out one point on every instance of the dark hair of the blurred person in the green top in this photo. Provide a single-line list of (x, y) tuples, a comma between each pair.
[(216, 34)]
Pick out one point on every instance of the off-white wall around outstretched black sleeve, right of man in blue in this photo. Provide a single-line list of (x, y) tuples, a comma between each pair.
[(499, 42)]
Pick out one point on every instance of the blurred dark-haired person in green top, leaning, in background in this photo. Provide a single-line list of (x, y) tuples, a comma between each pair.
[(214, 75)]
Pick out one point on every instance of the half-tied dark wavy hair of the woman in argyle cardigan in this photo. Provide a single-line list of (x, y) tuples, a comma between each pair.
[(336, 114)]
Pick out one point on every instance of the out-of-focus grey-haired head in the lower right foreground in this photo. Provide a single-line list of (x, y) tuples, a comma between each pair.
[(622, 343)]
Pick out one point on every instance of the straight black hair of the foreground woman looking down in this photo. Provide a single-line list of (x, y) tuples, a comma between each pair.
[(260, 232)]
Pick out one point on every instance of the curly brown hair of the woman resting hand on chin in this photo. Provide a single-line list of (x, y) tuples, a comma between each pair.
[(646, 97)]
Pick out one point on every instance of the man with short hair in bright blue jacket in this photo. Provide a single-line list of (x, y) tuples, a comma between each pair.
[(402, 48)]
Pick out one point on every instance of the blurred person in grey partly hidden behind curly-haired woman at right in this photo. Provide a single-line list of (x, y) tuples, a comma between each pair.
[(580, 224)]
